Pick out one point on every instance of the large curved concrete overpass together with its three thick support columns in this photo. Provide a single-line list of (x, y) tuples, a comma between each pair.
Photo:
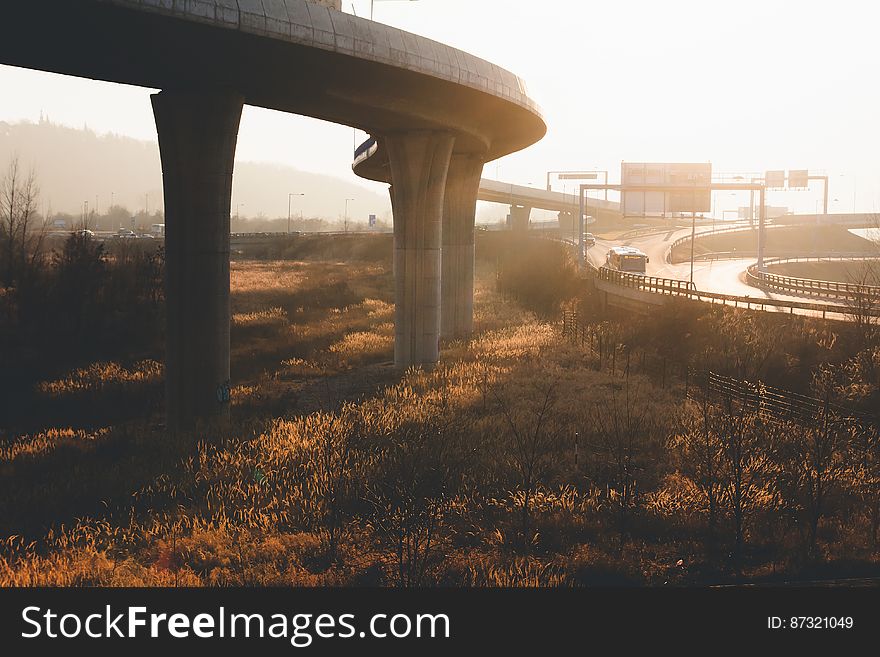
[(441, 113)]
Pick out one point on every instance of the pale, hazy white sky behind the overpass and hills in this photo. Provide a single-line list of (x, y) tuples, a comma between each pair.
[(748, 85)]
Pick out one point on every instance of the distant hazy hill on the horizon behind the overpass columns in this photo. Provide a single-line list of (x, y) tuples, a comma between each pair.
[(76, 165)]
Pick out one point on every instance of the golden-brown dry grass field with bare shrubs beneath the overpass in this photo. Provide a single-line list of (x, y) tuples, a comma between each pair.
[(520, 460)]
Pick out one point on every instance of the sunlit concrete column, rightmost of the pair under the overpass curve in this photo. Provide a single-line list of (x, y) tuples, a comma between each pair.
[(459, 212)]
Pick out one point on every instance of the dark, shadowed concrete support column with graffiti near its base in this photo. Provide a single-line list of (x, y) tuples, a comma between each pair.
[(197, 138)]
